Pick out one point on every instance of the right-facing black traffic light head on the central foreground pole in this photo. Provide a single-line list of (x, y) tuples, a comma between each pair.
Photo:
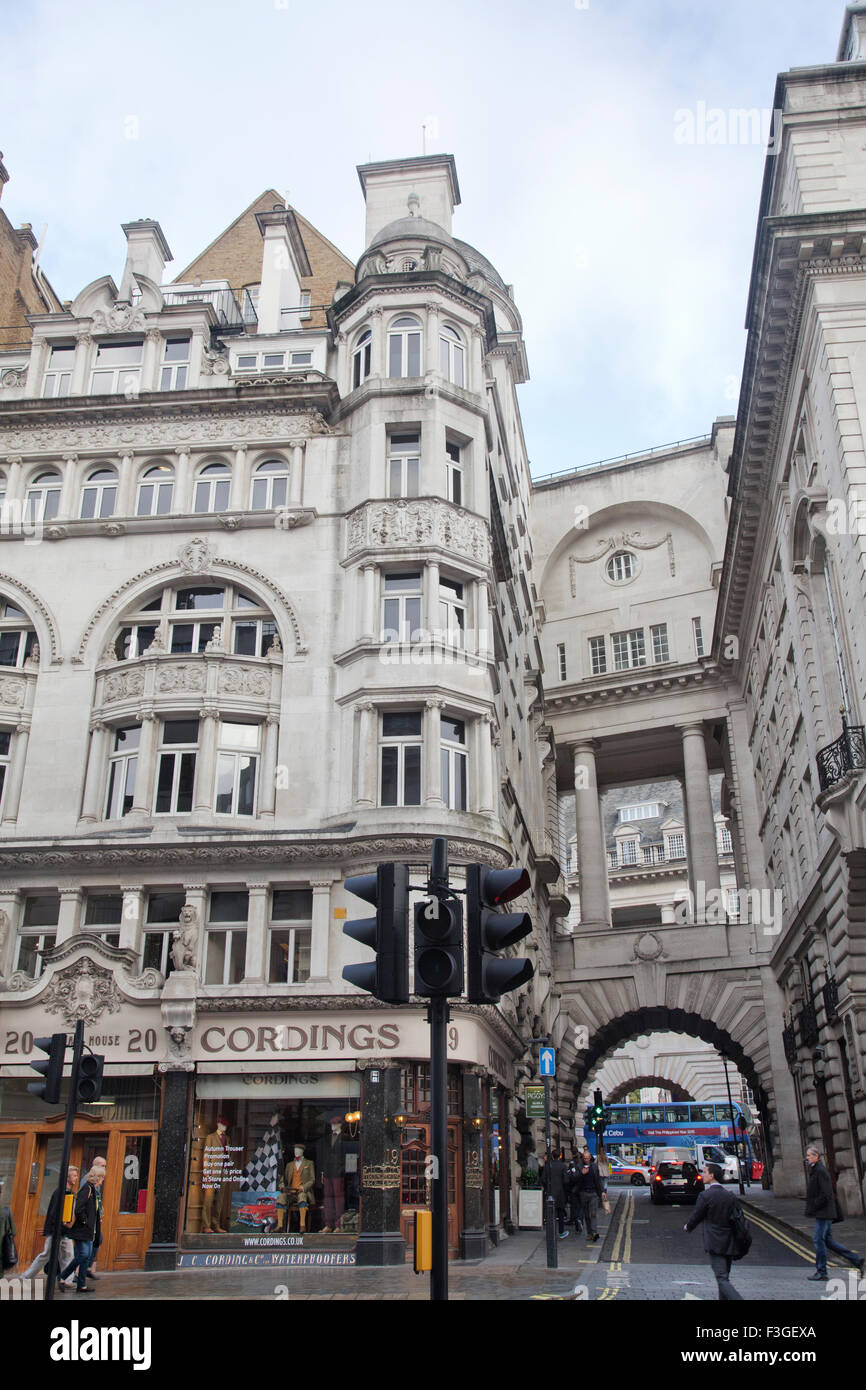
[(490, 932)]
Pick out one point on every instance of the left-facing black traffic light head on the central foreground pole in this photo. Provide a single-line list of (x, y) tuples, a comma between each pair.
[(387, 933)]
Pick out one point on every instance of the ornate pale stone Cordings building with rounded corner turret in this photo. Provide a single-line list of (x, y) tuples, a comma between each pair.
[(268, 622)]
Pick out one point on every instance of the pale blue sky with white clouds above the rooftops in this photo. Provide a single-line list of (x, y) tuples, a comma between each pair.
[(580, 131)]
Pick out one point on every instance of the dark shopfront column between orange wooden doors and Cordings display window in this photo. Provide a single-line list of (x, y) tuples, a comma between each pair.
[(170, 1167)]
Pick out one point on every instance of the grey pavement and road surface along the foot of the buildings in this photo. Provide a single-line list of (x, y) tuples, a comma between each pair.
[(643, 1256)]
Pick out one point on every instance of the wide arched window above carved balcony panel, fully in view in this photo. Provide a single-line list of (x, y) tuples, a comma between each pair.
[(186, 621)]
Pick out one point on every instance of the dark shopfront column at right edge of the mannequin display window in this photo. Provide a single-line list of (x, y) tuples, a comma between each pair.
[(380, 1242)]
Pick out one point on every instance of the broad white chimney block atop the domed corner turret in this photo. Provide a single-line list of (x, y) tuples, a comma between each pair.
[(430, 180)]
